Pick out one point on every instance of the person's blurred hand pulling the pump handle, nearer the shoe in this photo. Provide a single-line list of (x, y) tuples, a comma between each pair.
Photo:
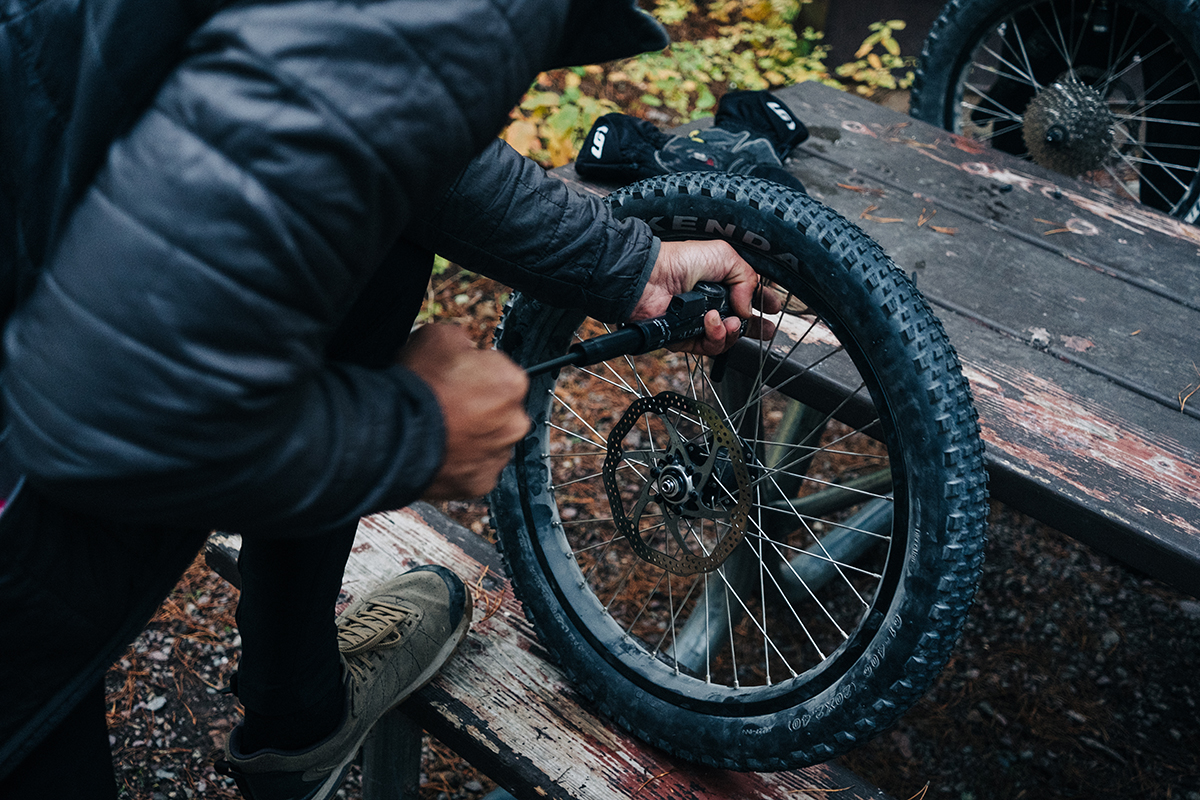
[(482, 394)]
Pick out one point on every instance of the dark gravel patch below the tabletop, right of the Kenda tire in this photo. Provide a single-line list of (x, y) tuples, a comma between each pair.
[(1075, 678)]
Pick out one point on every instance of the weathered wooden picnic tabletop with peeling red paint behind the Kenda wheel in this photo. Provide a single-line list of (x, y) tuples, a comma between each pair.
[(1077, 317)]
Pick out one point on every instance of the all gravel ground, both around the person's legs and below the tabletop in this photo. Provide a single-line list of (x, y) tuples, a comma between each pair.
[(1075, 678)]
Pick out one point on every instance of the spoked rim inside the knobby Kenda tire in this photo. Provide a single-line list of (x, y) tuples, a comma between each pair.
[(818, 552)]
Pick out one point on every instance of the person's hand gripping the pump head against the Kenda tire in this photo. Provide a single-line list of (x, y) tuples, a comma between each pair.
[(681, 266)]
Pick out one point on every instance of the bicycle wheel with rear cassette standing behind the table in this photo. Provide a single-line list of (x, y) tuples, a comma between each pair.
[(1105, 91)]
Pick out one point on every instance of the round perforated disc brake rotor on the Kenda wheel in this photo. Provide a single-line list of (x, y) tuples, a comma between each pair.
[(693, 488)]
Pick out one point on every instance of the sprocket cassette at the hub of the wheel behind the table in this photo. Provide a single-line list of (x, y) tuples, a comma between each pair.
[(1070, 128)]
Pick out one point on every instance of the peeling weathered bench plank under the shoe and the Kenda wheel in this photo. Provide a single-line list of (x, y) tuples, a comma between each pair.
[(505, 708)]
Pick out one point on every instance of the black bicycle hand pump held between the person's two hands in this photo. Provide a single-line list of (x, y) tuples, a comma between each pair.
[(685, 320)]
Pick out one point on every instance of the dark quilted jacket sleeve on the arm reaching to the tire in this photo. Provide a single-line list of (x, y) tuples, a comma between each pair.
[(505, 218)]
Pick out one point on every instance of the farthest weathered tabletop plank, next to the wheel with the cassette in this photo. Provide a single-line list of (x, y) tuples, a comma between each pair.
[(991, 189)]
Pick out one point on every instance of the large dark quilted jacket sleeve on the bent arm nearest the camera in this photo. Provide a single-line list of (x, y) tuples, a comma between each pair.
[(170, 364)]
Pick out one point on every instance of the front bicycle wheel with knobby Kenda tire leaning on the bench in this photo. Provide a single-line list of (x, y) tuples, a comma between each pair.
[(760, 561)]
